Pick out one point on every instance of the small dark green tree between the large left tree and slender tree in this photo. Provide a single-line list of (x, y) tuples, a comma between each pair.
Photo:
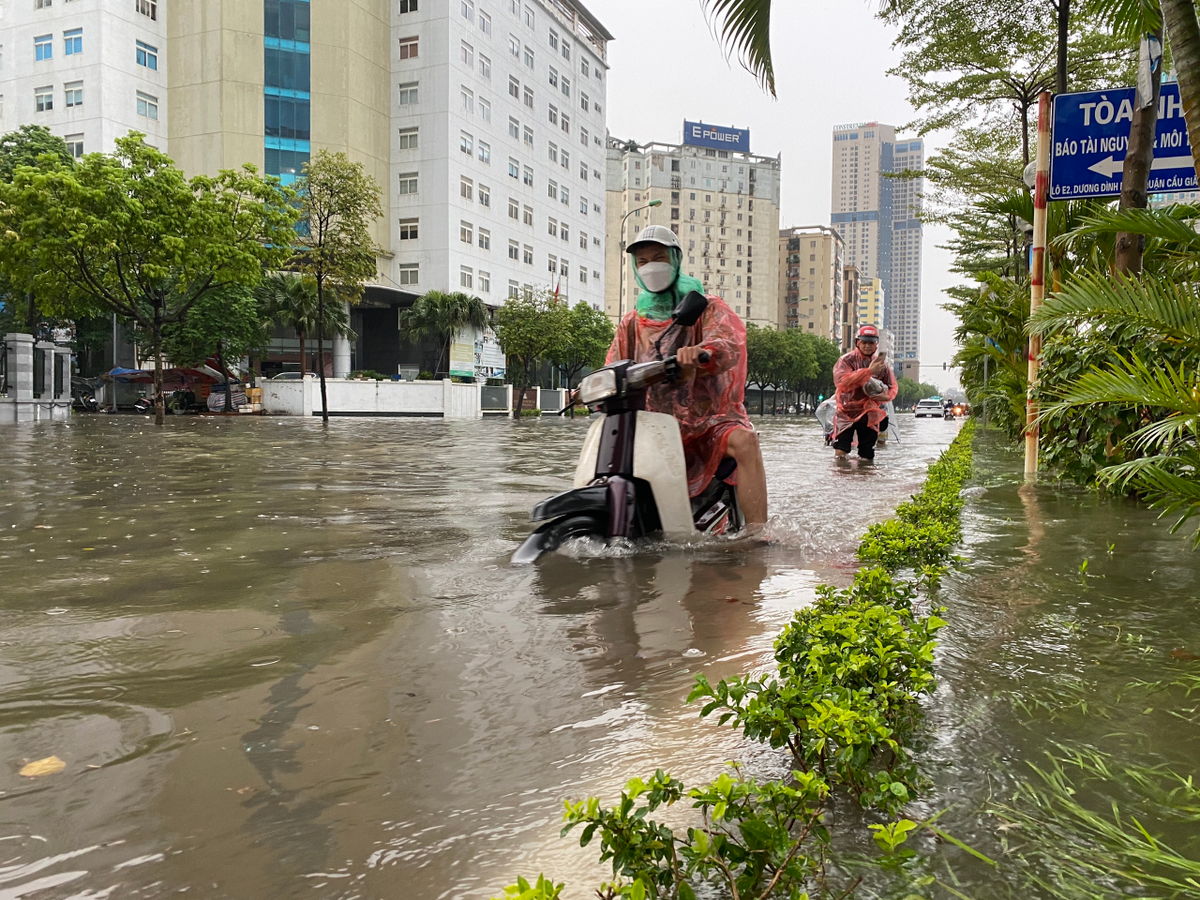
[(226, 325)]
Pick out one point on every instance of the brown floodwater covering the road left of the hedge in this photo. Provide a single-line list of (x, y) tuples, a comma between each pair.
[(280, 662)]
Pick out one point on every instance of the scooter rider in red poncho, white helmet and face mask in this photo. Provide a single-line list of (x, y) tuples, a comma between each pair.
[(709, 401)]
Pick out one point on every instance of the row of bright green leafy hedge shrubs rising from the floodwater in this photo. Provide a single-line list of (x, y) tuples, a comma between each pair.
[(843, 700)]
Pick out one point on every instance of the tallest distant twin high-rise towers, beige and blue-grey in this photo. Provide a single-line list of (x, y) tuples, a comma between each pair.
[(878, 211)]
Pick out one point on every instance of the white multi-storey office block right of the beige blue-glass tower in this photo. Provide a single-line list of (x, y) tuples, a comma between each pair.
[(499, 148)]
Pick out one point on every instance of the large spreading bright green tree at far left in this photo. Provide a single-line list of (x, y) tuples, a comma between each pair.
[(129, 235)]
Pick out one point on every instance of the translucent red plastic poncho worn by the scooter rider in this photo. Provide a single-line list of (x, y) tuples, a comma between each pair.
[(709, 404)]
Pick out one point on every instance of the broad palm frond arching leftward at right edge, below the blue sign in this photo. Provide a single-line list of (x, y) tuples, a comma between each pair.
[(1163, 305)]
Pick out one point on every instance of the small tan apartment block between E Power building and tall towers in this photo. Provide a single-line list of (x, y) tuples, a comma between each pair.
[(812, 280)]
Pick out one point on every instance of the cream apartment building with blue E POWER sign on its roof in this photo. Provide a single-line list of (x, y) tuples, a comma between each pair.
[(721, 200)]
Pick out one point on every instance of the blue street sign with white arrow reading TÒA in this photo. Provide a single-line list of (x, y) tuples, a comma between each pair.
[(1090, 137)]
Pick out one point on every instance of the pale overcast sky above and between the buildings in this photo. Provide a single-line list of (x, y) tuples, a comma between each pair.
[(831, 69)]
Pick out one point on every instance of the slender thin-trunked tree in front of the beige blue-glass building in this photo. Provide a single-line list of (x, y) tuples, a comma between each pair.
[(339, 203)]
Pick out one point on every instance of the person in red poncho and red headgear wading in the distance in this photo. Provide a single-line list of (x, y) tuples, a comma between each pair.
[(865, 385)]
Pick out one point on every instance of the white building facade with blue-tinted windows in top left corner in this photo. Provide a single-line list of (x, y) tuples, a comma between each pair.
[(88, 70)]
